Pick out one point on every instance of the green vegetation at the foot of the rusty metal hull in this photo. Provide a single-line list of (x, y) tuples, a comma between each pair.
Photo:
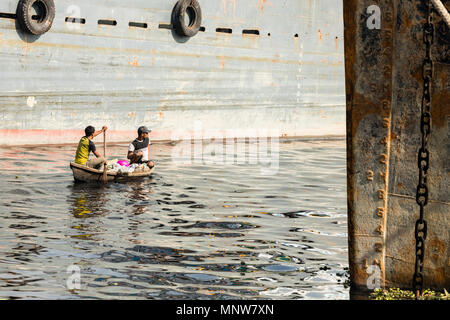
[(398, 294)]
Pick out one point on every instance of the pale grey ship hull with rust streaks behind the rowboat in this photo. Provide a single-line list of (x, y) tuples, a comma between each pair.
[(289, 78)]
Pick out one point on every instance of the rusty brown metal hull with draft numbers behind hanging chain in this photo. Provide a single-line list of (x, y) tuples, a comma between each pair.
[(384, 93)]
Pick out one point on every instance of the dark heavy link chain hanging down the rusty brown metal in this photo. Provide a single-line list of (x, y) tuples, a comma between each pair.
[(424, 154)]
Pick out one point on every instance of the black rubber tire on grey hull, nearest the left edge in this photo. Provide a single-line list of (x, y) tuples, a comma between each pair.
[(32, 26)]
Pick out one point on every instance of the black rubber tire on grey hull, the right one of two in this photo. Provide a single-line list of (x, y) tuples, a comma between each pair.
[(179, 13)]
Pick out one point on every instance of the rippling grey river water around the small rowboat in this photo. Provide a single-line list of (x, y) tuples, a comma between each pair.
[(194, 230)]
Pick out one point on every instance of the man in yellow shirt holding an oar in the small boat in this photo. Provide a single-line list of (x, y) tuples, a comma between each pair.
[(86, 145)]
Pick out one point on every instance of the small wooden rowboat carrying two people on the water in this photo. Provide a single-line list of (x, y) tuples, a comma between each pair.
[(82, 173)]
